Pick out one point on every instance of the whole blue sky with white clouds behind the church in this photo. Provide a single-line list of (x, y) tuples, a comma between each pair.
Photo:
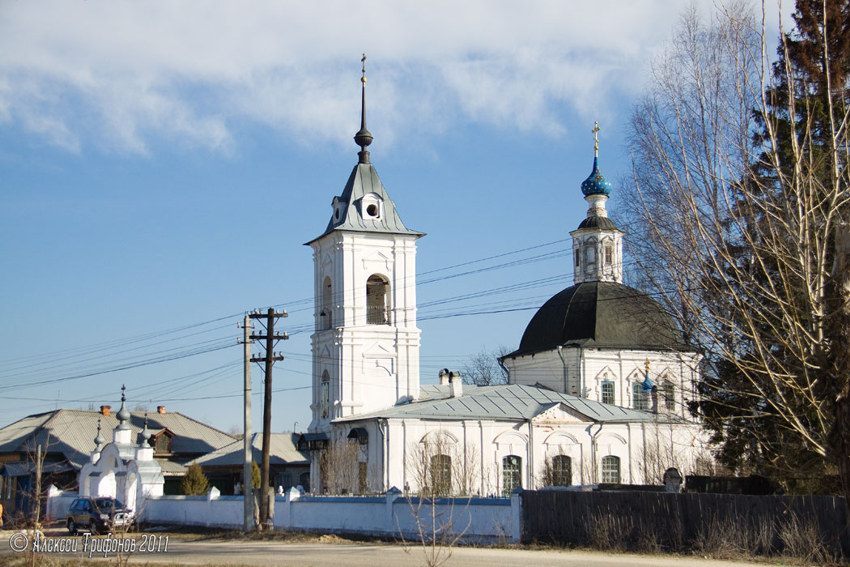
[(162, 165)]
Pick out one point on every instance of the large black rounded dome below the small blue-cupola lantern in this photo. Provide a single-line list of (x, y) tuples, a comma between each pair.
[(603, 315)]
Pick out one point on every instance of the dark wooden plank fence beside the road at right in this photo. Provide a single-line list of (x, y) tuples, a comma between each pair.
[(760, 525)]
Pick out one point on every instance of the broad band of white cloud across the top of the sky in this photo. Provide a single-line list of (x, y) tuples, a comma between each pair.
[(124, 74)]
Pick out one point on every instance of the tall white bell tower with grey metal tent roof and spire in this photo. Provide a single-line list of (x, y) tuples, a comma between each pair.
[(365, 343)]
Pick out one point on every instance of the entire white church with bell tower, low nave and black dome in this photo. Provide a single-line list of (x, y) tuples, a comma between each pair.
[(597, 389)]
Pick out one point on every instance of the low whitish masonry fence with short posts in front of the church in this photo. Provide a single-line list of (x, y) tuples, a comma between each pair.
[(485, 520)]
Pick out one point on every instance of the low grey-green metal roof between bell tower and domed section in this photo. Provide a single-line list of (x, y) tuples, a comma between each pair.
[(513, 402)]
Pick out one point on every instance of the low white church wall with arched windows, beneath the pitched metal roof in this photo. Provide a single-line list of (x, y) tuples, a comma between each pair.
[(644, 451)]
